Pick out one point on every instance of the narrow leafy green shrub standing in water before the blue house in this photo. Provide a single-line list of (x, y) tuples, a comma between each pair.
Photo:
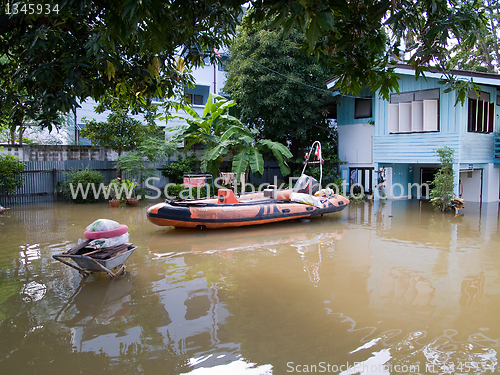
[(443, 182)]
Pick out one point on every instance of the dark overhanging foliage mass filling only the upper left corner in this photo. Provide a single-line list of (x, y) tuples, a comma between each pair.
[(83, 48)]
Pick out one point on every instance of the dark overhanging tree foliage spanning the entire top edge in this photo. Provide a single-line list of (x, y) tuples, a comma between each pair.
[(83, 48)]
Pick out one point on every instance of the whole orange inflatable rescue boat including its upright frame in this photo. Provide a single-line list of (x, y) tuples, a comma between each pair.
[(267, 206)]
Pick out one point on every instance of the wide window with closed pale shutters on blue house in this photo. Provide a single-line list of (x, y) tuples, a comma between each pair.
[(414, 111)]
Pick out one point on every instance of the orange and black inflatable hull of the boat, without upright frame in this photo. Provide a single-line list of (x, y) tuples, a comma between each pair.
[(212, 215)]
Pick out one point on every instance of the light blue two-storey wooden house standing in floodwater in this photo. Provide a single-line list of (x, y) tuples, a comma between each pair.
[(394, 140)]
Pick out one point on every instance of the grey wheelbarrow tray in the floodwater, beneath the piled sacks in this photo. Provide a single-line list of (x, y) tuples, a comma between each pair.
[(89, 259)]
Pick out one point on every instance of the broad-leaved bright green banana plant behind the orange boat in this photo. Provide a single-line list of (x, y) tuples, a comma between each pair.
[(223, 135)]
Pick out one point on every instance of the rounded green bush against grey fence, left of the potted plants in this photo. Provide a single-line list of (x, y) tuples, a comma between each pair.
[(81, 186)]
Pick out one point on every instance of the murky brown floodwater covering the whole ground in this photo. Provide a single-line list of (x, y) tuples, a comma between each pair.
[(376, 289)]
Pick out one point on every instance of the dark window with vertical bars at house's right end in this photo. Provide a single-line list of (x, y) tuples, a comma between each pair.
[(481, 113)]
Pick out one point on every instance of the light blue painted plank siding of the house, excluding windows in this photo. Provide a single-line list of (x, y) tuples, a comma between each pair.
[(404, 154)]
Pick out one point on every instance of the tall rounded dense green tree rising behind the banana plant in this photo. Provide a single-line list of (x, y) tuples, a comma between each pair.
[(280, 89)]
